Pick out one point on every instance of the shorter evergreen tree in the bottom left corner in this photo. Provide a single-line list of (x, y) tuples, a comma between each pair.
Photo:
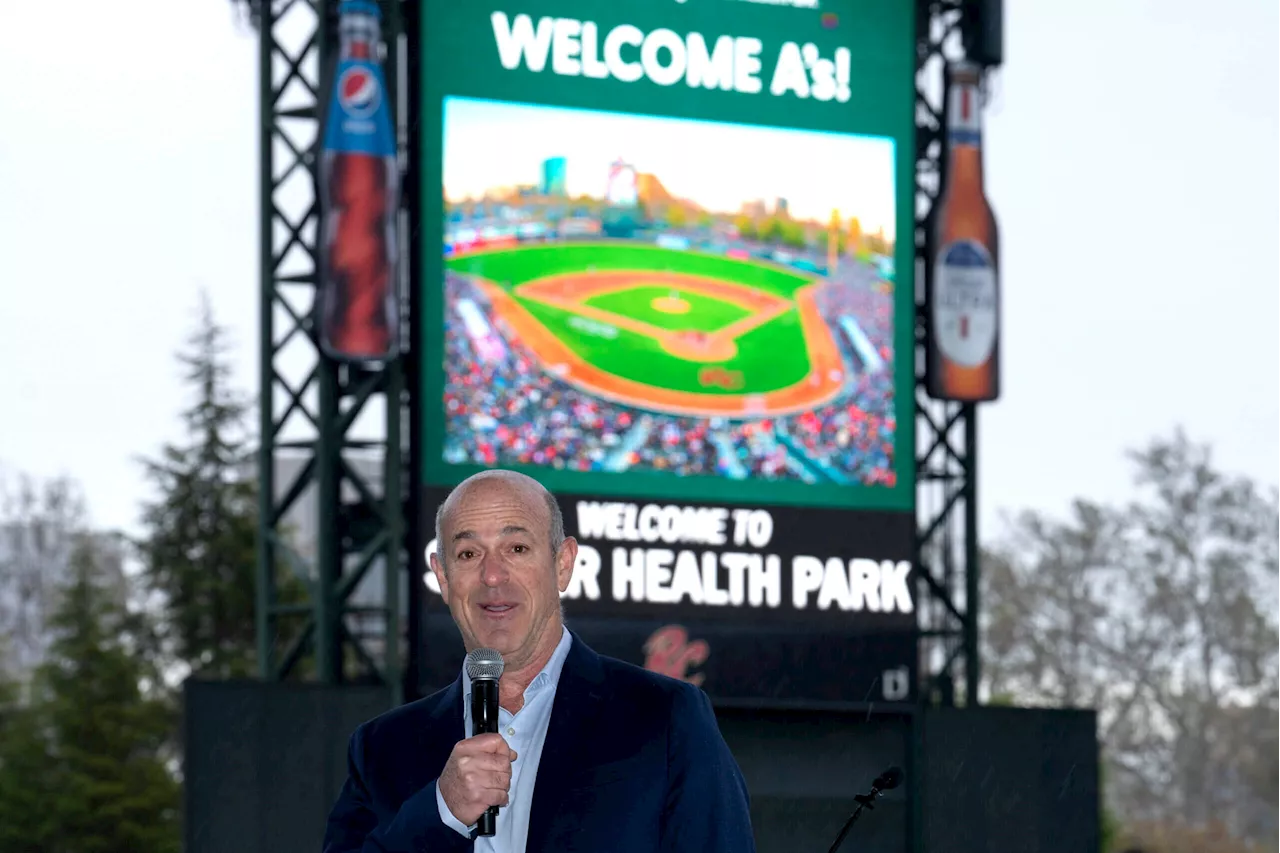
[(84, 764)]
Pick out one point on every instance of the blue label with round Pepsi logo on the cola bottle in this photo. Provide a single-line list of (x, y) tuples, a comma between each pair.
[(360, 121)]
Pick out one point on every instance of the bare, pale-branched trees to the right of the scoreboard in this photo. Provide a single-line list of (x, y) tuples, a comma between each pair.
[(1164, 615)]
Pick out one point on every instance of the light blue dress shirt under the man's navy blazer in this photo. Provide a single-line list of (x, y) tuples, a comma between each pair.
[(525, 733)]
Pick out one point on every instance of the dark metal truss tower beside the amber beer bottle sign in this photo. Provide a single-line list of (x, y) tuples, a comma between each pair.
[(947, 432)]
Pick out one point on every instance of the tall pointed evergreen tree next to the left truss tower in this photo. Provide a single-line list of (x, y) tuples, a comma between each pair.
[(199, 549)]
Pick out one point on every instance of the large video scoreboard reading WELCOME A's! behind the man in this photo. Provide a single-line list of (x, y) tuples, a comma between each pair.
[(666, 270)]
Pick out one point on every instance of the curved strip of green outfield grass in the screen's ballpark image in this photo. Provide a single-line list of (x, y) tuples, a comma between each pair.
[(527, 263)]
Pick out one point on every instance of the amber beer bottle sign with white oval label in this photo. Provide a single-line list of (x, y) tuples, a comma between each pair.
[(964, 284)]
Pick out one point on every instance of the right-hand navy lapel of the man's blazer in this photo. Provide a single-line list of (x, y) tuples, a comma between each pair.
[(578, 696)]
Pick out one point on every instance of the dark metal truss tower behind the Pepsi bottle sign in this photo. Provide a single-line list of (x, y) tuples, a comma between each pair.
[(331, 436)]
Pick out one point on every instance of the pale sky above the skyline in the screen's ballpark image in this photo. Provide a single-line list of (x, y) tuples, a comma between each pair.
[(720, 167)]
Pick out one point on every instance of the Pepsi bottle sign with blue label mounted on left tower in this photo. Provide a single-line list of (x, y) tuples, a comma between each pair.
[(356, 297)]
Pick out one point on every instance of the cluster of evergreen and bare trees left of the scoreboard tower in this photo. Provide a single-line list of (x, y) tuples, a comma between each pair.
[(98, 630)]
